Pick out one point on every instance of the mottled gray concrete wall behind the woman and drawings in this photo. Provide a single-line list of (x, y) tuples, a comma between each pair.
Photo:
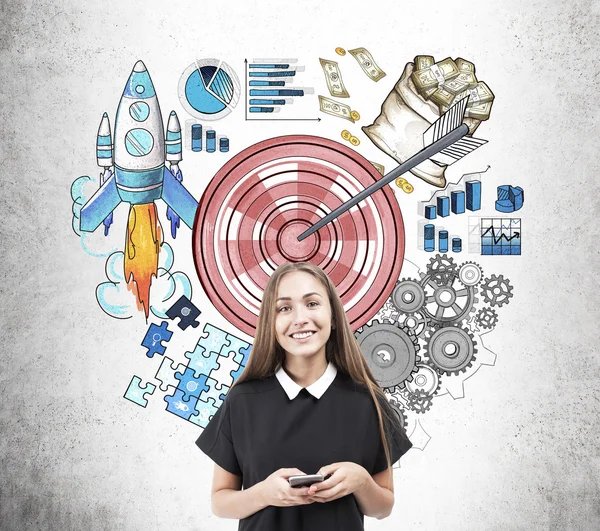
[(519, 452)]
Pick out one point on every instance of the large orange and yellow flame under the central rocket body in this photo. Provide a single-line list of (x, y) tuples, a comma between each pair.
[(142, 246)]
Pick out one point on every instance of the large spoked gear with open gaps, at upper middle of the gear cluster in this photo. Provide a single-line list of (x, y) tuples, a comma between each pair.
[(447, 301)]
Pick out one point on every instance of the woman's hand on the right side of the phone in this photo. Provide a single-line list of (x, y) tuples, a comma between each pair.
[(346, 478)]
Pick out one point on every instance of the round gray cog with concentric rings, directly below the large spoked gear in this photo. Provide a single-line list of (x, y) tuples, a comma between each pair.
[(451, 349)]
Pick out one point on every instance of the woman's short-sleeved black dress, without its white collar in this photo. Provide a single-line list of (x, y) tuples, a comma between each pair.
[(258, 430)]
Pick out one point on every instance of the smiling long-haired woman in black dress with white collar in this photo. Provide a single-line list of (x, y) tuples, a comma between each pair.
[(306, 403)]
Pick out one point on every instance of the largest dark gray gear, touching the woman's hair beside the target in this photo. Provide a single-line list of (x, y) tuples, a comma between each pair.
[(390, 351)]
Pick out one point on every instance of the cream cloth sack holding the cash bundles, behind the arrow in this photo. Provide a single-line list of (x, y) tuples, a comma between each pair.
[(398, 130)]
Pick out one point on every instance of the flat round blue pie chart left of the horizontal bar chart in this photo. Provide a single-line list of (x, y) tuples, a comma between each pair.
[(209, 89)]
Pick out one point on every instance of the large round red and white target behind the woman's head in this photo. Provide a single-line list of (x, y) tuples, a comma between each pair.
[(252, 212)]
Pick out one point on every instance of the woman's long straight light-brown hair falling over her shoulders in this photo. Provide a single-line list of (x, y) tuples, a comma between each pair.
[(341, 348)]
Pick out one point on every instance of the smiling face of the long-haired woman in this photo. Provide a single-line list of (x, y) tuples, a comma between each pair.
[(302, 307)]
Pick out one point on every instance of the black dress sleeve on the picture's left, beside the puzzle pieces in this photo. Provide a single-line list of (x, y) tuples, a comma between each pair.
[(216, 440)]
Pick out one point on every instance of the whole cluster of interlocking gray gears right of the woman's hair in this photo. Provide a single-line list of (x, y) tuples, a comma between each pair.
[(438, 305)]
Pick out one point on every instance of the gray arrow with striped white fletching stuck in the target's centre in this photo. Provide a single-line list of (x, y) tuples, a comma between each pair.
[(444, 143)]
